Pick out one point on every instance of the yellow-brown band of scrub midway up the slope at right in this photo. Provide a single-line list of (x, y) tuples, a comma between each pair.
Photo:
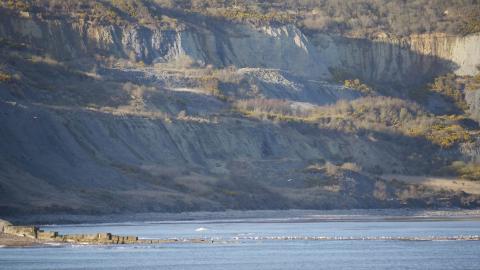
[(379, 114)]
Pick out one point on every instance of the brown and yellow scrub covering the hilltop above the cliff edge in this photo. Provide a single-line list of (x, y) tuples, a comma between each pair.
[(358, 18)]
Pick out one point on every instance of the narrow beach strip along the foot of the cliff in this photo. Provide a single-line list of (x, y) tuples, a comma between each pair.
[(236, 216)]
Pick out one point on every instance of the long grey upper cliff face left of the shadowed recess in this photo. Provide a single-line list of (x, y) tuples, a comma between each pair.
[(241, 45)]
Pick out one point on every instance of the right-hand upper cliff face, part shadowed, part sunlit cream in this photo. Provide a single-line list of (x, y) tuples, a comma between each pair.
[(405, 61)]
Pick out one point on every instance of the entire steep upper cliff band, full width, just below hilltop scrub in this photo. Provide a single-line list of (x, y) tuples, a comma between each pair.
[(386, 60)]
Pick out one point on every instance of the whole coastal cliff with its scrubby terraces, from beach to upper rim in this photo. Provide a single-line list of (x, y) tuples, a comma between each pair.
[(211, 114)]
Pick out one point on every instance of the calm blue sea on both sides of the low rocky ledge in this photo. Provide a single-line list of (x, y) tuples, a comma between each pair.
[(234, 248)]
